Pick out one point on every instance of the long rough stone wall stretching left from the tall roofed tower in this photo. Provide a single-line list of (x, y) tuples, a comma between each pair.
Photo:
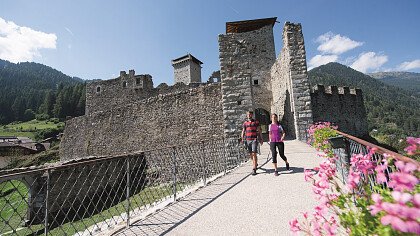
[(167, 119)]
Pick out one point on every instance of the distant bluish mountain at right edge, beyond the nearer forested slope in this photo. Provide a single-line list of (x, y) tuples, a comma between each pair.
[(406, 80)]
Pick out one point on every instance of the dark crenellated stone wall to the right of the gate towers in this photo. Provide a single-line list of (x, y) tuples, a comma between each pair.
[(342, 106)]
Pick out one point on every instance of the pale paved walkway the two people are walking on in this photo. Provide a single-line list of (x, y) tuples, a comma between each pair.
[(241, 204)]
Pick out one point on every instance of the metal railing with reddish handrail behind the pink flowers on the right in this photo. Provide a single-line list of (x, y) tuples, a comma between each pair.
[(352, 145)]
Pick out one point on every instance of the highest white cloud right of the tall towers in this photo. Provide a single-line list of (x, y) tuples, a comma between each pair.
[(336, 44)]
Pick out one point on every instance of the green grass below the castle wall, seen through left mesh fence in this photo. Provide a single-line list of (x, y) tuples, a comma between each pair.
[(15, 192)]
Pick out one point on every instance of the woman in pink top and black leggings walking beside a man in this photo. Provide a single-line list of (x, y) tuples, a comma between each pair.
[(276, 135)]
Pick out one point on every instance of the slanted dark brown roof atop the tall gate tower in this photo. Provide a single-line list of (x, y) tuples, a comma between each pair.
[(249, 25)]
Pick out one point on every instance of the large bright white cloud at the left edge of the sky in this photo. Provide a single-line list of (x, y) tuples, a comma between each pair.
[(19, 43)]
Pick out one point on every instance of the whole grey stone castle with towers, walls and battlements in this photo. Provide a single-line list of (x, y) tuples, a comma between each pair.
[(129, 114)]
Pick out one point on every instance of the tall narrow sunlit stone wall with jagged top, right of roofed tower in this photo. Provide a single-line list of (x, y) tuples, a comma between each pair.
[(291, 92)]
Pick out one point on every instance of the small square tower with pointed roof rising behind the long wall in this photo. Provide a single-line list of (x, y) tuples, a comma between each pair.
[(187, 69)]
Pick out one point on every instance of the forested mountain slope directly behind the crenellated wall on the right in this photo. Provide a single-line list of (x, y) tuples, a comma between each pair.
[(393, 113)]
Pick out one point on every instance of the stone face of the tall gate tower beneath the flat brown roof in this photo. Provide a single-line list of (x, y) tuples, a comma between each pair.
[(245, 62)]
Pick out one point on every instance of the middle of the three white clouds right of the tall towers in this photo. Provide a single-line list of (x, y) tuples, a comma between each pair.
[(369, 60)]
